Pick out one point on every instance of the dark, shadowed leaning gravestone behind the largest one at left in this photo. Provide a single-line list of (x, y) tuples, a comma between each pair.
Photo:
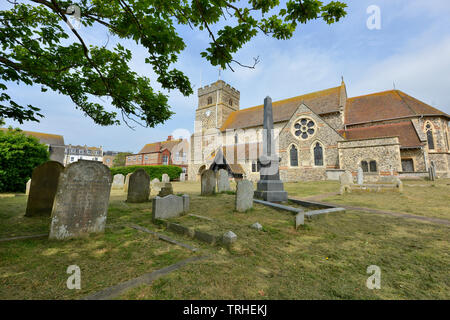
[(44, 182)]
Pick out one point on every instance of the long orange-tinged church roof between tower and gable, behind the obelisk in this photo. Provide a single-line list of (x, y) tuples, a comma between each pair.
[(324, 101)]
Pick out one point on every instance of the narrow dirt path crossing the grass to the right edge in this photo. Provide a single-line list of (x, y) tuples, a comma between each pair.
[(405, 215)]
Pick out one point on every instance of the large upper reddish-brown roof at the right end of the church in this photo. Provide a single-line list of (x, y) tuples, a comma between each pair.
[(386, 105)]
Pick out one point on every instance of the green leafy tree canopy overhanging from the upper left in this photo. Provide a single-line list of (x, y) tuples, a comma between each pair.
[(39, 48)]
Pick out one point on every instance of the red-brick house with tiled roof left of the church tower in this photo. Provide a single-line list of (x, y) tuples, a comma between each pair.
[(169, 152)]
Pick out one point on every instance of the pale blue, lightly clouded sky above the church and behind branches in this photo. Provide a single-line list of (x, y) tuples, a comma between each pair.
[(412, 49)]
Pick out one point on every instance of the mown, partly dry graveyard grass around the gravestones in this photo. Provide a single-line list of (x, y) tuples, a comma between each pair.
[(325, 259)]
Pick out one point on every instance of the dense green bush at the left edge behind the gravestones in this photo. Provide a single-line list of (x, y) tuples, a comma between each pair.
[(19, 155)]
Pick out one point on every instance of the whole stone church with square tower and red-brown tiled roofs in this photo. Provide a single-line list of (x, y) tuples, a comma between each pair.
[(321, 134)]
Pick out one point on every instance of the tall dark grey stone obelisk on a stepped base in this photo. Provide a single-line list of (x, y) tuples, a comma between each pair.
[(269, 187)]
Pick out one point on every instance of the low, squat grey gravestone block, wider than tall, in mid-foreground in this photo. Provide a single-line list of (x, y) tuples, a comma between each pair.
[(169, 206)]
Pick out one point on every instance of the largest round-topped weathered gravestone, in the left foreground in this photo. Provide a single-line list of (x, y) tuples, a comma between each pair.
[(81, 201)]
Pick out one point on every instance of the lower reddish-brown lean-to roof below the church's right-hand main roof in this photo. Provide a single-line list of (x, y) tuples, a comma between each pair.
[(404, 130)]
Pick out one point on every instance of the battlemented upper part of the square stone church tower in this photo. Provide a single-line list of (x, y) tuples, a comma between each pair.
[(215, 103)]
